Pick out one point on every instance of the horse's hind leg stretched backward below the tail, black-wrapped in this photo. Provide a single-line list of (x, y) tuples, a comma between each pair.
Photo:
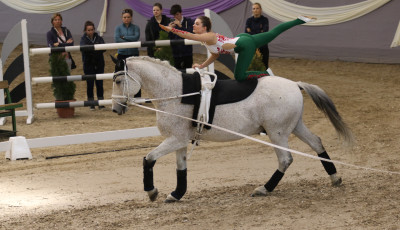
[(304, 134)]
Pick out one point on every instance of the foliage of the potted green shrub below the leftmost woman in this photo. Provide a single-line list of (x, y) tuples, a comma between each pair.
[(62, 90)]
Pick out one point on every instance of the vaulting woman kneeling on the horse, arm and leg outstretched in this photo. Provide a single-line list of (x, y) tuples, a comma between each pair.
[(244, 44)]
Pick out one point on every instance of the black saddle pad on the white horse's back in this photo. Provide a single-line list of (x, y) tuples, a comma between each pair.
[(224, 92)]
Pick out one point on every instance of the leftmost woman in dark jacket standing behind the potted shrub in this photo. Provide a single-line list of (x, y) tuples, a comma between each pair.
[(59, 36)]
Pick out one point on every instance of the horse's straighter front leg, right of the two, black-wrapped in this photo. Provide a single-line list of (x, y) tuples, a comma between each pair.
[(181, 177)]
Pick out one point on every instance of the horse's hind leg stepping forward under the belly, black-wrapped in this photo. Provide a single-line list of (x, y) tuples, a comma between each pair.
[(285, 159)]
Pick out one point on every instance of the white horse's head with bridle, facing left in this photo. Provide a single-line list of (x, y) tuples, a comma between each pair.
[(125, 86)]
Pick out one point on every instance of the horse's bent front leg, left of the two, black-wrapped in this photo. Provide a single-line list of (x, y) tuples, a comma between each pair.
[(168, 145)]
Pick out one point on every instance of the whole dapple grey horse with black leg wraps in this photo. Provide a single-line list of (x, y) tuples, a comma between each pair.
[(276, 106)]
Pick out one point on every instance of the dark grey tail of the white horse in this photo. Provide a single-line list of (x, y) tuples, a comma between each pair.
[(326, 105)]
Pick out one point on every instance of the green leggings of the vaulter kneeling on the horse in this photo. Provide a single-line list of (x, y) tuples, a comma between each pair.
[(247, 44)]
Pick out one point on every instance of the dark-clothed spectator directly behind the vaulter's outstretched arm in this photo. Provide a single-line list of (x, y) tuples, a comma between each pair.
[(183, 55)]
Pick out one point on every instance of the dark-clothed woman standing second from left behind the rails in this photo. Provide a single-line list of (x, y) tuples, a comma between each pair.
[(93, 62)]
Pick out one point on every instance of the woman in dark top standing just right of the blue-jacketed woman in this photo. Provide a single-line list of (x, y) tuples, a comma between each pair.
[(152, 29)]
